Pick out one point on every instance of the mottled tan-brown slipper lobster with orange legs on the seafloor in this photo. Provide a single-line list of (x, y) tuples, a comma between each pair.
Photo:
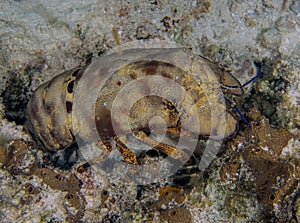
[(136, 92)]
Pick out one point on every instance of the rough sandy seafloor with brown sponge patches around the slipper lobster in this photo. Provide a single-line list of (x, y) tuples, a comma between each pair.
[(254, 179)]
